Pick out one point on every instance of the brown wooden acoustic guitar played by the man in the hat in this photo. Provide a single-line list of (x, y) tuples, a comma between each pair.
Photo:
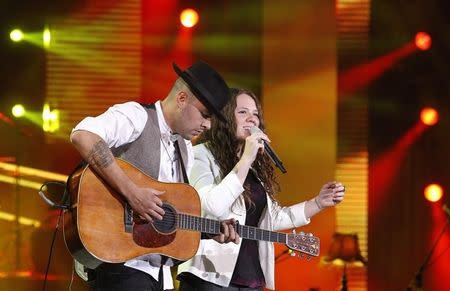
[(99, 226)]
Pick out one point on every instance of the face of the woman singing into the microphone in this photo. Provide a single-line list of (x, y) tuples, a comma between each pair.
[(246, 114)]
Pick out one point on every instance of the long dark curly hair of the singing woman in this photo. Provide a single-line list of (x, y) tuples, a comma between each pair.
[(221, 140)]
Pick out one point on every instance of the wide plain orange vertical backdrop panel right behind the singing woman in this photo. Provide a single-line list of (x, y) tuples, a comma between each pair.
[(299, 96)]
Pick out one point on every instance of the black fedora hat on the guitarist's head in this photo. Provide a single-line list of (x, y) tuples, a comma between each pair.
[(207, 85)]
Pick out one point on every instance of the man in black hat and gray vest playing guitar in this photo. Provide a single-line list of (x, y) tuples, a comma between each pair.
[(156, 139)]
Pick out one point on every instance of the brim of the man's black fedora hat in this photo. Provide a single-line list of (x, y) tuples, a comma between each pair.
[(199, 91)]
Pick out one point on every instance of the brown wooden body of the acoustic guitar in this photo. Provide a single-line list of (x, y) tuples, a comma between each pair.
[(94, 226)]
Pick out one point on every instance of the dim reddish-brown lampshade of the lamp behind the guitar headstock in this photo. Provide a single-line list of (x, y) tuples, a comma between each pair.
[(346, 248)]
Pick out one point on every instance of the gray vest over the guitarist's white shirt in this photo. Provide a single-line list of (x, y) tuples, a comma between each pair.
[(144, 152)]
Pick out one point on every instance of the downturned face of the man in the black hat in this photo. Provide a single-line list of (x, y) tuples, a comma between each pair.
[(194, 117)]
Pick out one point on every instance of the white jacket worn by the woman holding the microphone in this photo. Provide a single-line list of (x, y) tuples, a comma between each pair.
[(221, 199)]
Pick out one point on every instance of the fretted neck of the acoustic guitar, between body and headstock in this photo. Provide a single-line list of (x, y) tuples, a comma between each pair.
[(212, 226)]
